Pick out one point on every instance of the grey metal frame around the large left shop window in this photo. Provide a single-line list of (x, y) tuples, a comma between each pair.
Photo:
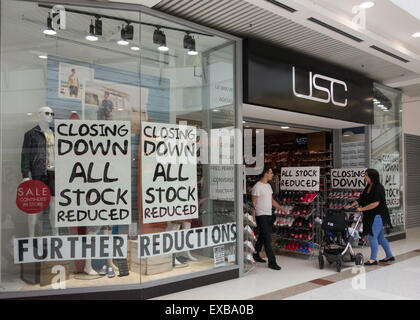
[(239, 168)]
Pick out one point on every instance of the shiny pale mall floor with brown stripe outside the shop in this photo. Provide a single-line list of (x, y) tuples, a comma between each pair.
[(301, 278)]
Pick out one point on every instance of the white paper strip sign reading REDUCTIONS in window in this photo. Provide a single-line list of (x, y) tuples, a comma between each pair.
[(156, 244)]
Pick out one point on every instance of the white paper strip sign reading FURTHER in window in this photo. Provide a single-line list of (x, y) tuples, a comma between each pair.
[(63, 248)]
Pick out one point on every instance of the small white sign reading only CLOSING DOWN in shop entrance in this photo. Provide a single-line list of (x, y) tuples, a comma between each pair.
[(348, 178)]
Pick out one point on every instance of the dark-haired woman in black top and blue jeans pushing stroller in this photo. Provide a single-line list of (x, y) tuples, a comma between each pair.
[(375, 216)]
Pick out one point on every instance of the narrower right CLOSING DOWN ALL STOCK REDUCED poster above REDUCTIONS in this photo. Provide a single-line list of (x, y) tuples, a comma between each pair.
[(169, 172)]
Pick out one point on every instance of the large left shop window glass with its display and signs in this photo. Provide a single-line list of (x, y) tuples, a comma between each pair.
[(87, 186)]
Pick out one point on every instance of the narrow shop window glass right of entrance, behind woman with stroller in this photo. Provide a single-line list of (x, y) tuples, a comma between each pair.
[(386, 150)]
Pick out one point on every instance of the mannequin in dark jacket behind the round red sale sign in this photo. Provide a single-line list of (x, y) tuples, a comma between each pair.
[(38, 162)]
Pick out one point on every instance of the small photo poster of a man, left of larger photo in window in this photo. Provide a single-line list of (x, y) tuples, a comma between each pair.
[(71, 80)]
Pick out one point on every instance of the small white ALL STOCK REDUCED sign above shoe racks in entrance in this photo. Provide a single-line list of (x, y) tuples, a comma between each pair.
[(300, 178)]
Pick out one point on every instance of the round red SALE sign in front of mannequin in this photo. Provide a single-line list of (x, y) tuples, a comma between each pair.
[(33, 196)]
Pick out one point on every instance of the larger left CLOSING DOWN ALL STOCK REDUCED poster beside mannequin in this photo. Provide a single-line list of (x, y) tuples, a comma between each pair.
[(93, 173)]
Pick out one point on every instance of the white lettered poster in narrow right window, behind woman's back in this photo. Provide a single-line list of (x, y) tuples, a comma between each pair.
[(391, 179)]
